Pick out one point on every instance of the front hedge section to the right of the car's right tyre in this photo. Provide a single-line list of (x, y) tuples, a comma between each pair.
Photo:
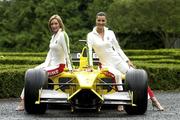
[(163, 77)]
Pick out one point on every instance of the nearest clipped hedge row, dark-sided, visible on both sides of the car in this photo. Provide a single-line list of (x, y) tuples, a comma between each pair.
[(160, 78)]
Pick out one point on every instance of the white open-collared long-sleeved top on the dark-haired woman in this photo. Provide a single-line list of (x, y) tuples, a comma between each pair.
[(107, 48)]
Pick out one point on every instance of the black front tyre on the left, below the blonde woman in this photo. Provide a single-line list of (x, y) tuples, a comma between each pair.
[(34, 80)]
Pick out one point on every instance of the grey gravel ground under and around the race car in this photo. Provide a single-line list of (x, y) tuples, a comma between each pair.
[(170, 100)]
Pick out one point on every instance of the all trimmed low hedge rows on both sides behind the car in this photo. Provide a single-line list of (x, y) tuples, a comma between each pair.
[(162, 66)]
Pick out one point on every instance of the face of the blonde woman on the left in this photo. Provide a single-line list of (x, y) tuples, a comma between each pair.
[(55, 26)]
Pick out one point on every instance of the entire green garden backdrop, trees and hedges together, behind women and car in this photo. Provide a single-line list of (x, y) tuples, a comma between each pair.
[(147, 30)]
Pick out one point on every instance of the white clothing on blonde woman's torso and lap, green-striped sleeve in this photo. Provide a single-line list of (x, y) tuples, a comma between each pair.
[(59, 51)]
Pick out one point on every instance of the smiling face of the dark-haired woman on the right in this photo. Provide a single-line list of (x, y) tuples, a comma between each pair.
[(100, 22)]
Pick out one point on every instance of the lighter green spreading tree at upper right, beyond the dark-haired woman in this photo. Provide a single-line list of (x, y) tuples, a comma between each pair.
[(139, 16)]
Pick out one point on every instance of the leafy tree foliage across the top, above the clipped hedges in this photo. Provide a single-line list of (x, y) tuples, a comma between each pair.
[(139, 24)]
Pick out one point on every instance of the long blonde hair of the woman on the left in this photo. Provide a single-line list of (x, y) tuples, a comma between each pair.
[(58, 18)]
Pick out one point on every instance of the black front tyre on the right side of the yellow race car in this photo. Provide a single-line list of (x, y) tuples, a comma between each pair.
[(136, 81)]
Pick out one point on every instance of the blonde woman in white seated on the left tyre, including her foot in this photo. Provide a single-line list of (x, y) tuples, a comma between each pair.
[(58, 56)]
